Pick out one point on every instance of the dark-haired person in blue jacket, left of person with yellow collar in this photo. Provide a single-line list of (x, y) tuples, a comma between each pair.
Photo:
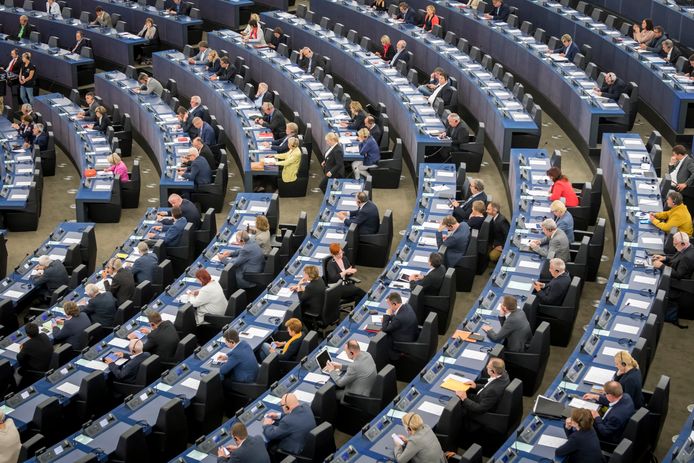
[(240, 364)]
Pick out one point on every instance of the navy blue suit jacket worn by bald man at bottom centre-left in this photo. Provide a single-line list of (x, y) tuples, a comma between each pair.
[(291, 430)]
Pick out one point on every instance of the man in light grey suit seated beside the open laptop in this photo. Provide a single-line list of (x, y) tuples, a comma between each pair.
[(360, 375)]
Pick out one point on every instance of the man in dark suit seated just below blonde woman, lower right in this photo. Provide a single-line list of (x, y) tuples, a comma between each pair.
[(610, 426)]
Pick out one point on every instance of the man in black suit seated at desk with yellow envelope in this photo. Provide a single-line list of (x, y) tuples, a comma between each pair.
[(484, 395)]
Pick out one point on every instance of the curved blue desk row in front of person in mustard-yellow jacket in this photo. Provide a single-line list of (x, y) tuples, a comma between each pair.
[(630, 308)]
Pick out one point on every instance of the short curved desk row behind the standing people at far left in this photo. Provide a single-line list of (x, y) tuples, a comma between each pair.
[(58, 66)]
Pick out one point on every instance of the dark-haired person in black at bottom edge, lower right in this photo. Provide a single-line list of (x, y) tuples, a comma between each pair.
[(582, 443)]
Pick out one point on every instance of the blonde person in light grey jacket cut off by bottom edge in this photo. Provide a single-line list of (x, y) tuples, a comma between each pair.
[(420, 445)]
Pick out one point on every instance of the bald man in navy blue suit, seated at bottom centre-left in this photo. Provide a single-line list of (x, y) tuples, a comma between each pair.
[(290, 430)]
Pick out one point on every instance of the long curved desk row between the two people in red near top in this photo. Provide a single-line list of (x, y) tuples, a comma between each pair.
[(478, 91)]
